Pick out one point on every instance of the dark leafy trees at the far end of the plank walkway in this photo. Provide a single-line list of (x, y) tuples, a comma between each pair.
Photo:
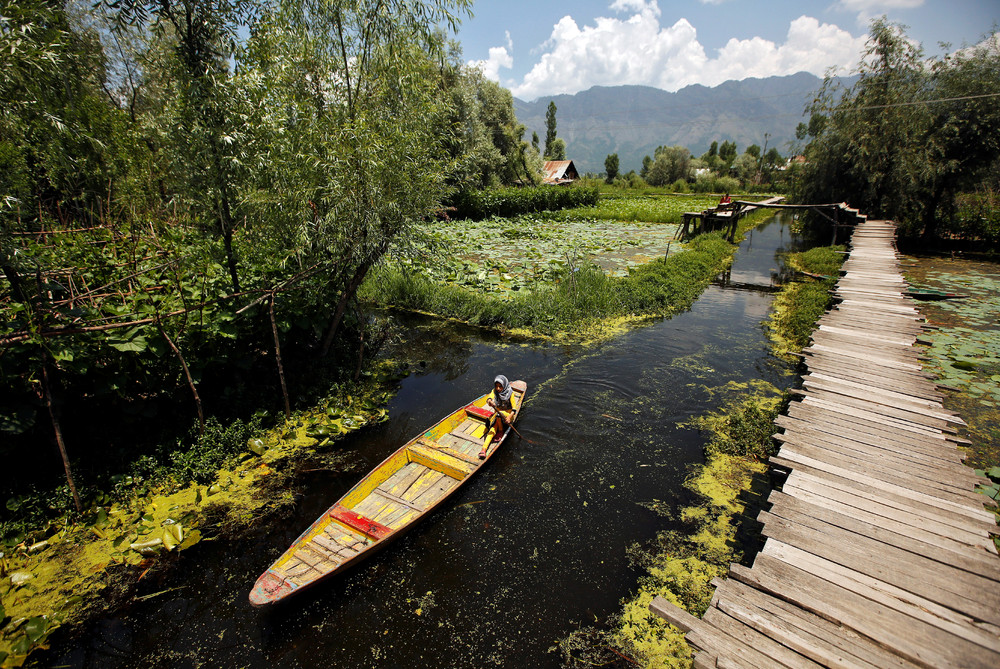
[(909, 136)]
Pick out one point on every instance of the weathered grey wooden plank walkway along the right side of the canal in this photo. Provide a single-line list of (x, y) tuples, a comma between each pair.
[(878, 550)]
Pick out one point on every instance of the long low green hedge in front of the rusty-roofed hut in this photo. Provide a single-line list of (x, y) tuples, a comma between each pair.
[(507, 202)]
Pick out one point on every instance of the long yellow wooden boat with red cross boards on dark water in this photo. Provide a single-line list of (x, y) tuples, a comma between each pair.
[(407, 486)]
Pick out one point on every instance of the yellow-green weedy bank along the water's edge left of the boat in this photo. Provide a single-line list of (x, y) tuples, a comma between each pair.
[(67, 569)]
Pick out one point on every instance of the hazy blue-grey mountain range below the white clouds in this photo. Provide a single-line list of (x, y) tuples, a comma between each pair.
[(633, 120)]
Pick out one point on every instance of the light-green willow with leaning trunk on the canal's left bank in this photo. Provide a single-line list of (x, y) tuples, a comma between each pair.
[(343, 103)]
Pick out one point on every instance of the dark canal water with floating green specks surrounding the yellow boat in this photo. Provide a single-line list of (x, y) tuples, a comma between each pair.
[(531, 549)]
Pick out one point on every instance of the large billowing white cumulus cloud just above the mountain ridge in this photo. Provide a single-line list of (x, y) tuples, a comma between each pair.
[(638, 50)]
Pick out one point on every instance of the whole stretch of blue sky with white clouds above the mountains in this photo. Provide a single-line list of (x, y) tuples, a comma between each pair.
[(539, 47)]
